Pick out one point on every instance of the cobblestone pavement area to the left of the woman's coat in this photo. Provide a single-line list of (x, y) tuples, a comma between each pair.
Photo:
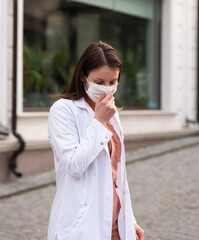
[(25, 216)]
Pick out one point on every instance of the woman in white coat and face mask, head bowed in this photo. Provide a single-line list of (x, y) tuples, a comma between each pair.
[(92, 201)]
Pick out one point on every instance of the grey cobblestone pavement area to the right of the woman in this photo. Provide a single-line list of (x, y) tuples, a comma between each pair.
[(165, 195)]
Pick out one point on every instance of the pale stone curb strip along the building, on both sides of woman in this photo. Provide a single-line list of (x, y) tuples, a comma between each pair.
[(46, 179)]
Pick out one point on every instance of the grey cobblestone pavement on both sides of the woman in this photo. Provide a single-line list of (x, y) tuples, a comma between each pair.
[(165, 196)]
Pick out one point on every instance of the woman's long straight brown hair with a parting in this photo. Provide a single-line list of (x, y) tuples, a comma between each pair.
[(95, 55)]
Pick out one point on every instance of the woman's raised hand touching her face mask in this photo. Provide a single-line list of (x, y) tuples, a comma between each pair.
[(105, 107)]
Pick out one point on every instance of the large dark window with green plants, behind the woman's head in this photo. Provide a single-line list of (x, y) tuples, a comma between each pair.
[(56, 33)]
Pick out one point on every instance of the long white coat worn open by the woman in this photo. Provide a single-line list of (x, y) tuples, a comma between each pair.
[(83, 204)]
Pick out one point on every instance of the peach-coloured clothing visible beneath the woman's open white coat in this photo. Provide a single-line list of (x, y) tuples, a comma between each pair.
[(114, 147)]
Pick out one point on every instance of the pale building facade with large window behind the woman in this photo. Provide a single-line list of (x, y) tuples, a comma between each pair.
[(40, 42)]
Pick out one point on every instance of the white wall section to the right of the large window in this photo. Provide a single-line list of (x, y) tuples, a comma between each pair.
[(179, 57)]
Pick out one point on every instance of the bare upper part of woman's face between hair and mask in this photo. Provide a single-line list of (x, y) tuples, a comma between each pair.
[(105, 72)]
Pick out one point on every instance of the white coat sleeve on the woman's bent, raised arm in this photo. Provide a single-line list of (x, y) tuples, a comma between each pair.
[(73, 153)]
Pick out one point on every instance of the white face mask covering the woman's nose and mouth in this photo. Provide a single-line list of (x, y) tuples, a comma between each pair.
[(95, 90)]
